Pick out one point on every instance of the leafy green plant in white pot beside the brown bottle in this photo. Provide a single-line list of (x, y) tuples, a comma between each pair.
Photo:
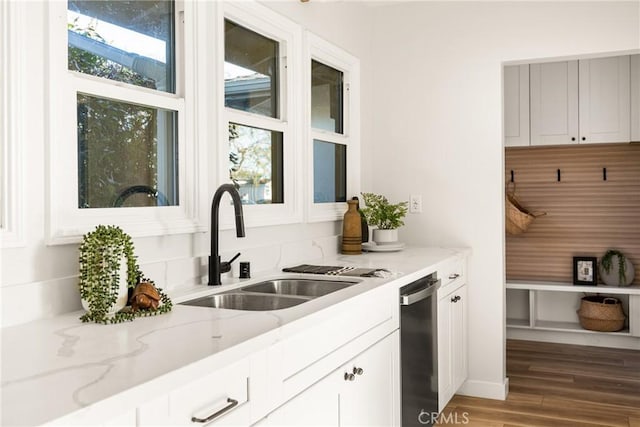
[(385, 216)]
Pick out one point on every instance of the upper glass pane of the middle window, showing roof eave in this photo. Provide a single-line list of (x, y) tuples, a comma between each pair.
[(250, 71)]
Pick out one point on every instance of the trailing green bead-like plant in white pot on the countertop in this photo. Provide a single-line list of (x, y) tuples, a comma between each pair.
[(108, 269)]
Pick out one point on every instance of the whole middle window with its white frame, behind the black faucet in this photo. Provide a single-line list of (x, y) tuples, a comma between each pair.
[(261, 148)]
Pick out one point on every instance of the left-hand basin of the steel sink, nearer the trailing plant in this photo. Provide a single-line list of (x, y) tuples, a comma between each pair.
[(246, 301)]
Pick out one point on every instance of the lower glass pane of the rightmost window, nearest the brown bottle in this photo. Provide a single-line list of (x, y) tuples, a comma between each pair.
[(329, 172)]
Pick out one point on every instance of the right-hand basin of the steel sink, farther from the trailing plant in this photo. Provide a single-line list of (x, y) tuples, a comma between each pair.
[(300, 287)]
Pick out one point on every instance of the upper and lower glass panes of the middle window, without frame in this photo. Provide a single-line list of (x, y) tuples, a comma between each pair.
[(251, 81)]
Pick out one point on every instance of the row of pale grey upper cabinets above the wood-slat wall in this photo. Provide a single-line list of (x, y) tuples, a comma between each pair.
[(571, 102)]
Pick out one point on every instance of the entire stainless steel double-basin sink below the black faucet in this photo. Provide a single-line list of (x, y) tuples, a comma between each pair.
[(273, 294)]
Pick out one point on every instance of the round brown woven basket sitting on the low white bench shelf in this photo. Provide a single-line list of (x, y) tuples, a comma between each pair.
[(599, 313)]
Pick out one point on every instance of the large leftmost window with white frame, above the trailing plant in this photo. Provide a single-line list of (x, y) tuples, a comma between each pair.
[(118, 146)]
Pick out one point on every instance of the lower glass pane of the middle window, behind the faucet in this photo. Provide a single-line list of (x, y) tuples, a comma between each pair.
[(255, 164)]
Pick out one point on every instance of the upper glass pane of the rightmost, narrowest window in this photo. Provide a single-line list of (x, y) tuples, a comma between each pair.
[(326, 97)]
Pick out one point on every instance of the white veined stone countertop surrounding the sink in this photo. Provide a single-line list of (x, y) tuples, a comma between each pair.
[(55, 367)]
